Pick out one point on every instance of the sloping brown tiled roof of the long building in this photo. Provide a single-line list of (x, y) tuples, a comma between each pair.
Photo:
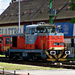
[(35, 10)]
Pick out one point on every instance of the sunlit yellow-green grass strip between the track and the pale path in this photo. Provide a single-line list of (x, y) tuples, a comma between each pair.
[(10, 66)]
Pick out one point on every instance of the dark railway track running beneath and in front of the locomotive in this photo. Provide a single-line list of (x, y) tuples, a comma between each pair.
[(67, 64)]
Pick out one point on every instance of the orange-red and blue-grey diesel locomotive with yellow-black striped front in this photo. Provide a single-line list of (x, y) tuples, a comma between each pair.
[(41, 41)]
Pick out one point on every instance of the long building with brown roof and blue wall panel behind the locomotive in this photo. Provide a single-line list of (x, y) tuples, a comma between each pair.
[(34, 11)]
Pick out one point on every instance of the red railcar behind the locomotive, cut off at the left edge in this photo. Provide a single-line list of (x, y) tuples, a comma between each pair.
[(5, 43)]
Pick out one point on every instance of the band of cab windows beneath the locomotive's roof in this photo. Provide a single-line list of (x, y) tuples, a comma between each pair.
[(40, 29)]
